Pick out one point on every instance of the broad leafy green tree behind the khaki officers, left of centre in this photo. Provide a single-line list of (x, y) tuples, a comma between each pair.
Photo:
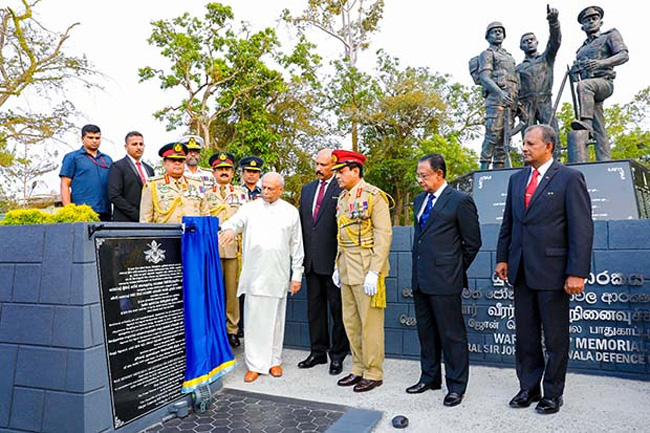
[(224, 76)]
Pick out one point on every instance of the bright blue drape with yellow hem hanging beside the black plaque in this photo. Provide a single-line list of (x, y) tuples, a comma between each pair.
[(208, 354)]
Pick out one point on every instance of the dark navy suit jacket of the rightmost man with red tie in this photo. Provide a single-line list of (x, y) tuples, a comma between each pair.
[(554, 235)]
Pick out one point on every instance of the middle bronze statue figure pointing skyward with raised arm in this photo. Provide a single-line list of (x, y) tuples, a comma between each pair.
[(536, 76)]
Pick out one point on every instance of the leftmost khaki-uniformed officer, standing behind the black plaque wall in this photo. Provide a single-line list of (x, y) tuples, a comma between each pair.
[(167, 198)]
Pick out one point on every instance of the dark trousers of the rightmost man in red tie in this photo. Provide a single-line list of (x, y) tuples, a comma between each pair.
[(537, 313)]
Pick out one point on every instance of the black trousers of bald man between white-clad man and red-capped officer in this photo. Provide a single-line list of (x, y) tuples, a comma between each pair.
[(322, 292)]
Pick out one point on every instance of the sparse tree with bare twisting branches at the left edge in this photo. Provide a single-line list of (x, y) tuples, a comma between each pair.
[(33, 61)]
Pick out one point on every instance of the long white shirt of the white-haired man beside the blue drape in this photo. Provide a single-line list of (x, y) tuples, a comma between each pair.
[(271, 246)]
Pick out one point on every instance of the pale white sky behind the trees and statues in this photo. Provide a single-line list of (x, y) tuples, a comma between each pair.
[(442, 36)]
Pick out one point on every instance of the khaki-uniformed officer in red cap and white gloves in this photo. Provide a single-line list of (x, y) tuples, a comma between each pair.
[(364, 238)]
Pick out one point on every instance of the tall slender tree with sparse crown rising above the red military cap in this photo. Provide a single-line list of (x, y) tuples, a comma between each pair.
[(351, 22)]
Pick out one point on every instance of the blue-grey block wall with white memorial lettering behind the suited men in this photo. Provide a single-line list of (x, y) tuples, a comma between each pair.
[(610, 328)]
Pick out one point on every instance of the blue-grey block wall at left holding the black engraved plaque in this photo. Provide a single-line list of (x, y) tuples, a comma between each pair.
[(53, 367)]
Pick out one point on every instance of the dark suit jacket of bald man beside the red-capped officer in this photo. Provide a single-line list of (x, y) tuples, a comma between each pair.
[(319, 237)]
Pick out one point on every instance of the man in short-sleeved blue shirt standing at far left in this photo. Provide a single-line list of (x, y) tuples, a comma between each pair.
[(84, 174)]
